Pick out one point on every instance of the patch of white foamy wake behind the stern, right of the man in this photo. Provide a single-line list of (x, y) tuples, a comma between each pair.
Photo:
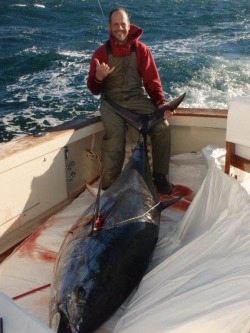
[(213, 87)]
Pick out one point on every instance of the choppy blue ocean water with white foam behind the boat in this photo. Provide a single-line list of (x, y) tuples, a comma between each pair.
[(200, 46)]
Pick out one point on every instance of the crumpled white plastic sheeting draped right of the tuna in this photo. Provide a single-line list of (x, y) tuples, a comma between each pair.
[(204, 286)]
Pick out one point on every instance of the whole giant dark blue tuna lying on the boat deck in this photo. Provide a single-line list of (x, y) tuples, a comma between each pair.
[(101, 262)]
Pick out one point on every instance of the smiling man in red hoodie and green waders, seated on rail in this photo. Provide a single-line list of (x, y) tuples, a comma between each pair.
[(123, 69)]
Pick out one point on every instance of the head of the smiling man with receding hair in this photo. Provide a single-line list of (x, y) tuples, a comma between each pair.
[(119, 26)]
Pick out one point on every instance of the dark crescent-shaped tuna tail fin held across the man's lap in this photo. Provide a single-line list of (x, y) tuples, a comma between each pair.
[(144, 122)]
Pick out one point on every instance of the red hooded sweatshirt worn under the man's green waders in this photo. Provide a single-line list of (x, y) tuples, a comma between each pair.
[(146, 65)]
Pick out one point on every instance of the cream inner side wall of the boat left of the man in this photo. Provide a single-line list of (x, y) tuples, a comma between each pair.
[(38, 176)]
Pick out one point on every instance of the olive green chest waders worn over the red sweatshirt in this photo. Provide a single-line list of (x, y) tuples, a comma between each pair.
[(124, 86)]
